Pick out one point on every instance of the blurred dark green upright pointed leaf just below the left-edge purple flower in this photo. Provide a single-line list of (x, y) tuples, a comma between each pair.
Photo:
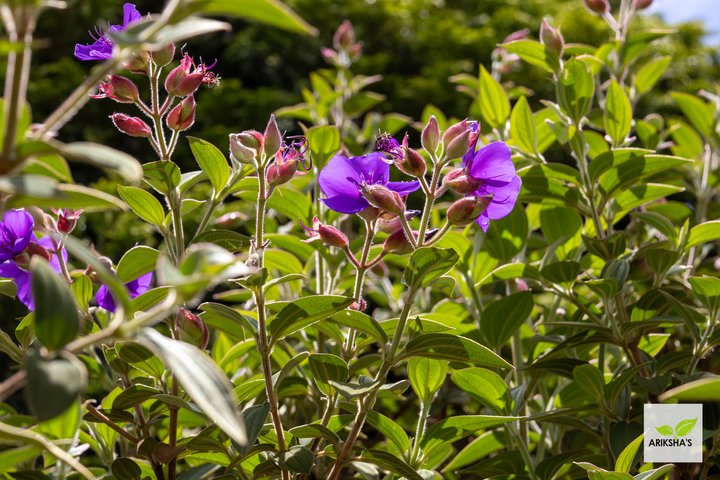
[(57, 321)]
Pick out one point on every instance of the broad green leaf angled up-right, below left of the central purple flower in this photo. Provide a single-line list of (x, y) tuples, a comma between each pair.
[(304, 312)]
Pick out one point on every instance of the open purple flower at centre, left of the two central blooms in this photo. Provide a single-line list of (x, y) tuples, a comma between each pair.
[(342, 178)]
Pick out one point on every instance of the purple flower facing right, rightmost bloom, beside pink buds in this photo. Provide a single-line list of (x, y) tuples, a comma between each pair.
[(492, 166)]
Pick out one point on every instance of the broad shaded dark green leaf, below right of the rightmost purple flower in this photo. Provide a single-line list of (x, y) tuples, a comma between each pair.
[(502, 318)]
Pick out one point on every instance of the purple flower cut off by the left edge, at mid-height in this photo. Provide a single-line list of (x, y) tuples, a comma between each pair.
[(17, 241)]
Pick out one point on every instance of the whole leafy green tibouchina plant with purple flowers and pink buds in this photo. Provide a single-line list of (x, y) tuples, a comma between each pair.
[(354, 295)]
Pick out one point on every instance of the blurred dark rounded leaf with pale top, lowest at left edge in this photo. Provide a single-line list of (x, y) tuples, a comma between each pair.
[(53, 384)]
